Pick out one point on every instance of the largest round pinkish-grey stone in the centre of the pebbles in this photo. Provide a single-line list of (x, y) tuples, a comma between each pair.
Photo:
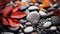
[(33, 16)]
